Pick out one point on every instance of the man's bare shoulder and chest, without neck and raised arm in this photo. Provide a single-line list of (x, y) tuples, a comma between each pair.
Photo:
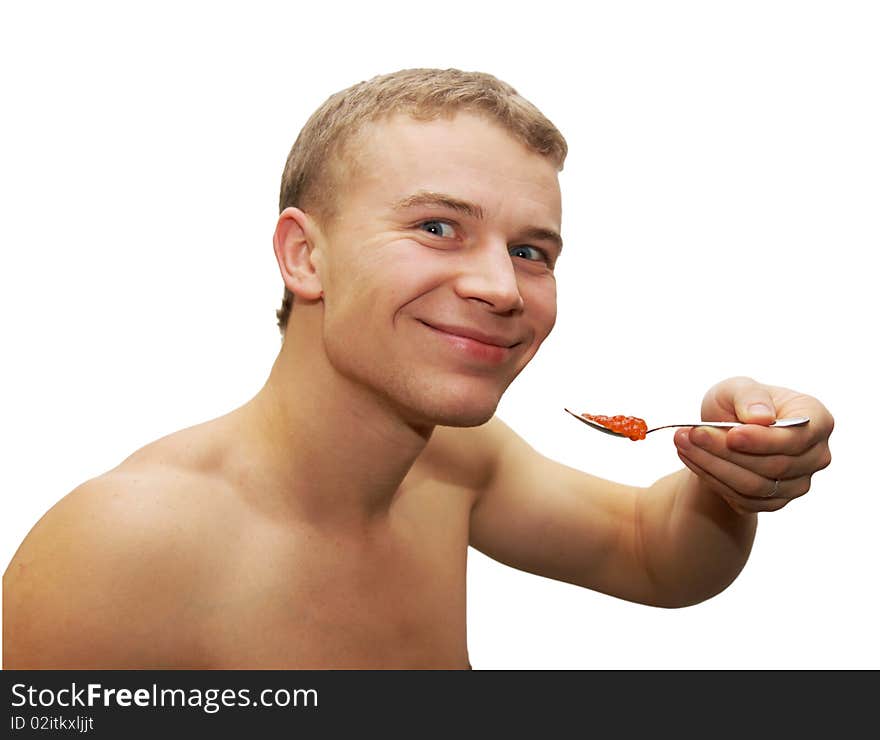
[(177, 559)]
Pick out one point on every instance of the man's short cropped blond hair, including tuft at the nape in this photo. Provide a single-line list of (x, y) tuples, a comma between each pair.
[(317, 164)]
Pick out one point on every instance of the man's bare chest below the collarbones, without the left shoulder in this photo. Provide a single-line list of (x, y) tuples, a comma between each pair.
[(328, 602)]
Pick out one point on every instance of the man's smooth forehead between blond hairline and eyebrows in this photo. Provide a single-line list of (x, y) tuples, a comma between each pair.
[(468, 156)]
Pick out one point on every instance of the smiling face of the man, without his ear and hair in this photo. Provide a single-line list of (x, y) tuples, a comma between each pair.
[(401, 265)]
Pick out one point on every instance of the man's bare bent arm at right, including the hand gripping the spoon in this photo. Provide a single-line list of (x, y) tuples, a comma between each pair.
[(675, 543)]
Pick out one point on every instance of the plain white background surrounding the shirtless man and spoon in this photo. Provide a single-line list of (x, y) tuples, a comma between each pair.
[(720, 216)]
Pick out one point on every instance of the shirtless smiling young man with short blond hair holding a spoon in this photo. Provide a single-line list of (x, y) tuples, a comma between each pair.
[(325, 523)]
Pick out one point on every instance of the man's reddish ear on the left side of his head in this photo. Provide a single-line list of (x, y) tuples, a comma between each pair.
[(294, 242)]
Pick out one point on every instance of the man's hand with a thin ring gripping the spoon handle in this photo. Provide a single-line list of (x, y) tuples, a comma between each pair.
[(742, 465)]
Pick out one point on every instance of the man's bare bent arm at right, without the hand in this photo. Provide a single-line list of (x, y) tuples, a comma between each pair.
[(672, 544)]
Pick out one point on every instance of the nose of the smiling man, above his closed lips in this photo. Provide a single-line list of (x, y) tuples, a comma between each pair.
[(488, 275)]
